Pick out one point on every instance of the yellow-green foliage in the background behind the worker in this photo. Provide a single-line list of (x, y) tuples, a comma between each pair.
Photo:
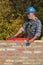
[(12, 15)]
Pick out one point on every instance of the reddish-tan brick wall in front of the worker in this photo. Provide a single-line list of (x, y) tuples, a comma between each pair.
[(17, 53)]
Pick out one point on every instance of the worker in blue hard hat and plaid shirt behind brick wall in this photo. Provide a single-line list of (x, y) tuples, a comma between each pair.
[(32, 26)]
